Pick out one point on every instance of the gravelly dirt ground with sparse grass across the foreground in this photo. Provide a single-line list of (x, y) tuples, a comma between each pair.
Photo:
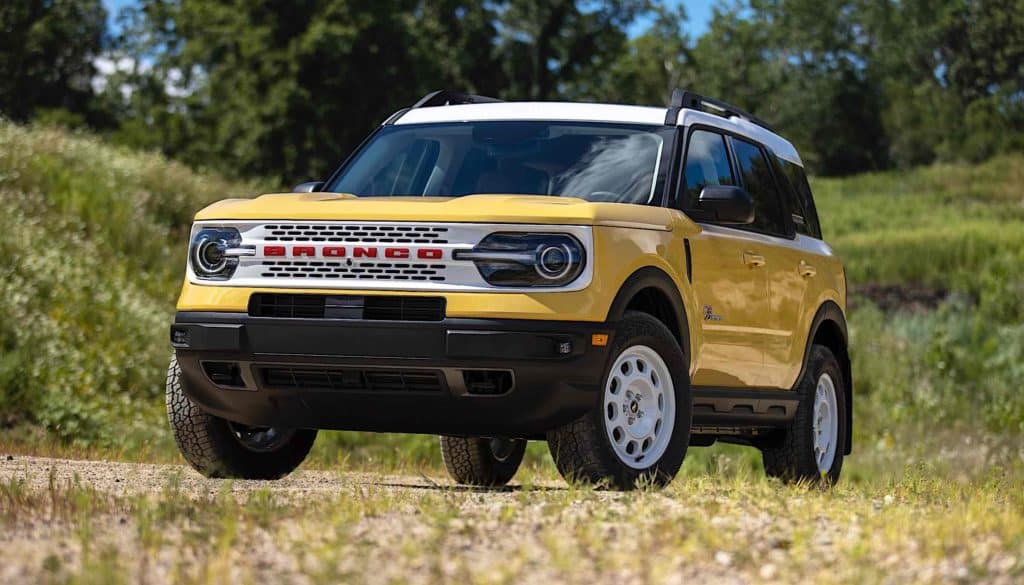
[(107, 522)]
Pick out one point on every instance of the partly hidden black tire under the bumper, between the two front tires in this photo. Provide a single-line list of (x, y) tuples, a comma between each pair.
[(476, 462)]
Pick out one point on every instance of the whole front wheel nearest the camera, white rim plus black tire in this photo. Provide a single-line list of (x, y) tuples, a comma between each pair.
[(641, 427)]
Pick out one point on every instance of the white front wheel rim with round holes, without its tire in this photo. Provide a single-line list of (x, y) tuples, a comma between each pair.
[(641, 407)]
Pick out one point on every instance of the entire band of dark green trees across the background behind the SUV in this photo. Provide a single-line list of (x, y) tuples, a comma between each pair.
[(287, 90)]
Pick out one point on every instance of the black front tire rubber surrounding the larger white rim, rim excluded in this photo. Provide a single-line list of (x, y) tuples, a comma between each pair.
[(583, 450)]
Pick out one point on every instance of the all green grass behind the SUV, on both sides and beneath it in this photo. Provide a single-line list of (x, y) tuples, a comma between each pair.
[(93, 240)]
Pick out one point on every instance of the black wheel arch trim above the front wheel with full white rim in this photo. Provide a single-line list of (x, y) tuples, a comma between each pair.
[(652, 290)]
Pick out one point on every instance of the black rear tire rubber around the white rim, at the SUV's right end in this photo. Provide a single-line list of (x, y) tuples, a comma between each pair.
[(793, 457)]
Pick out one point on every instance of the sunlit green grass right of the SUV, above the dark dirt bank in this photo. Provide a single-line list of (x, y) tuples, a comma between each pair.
[(953, 227)]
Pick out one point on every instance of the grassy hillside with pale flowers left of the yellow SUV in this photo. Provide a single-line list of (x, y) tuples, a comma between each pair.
[(92, 239)]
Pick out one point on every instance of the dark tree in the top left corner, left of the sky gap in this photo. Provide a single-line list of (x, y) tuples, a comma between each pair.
[(48, 50)]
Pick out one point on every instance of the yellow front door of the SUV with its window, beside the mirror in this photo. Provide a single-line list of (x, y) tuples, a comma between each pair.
[(729, 277)]
